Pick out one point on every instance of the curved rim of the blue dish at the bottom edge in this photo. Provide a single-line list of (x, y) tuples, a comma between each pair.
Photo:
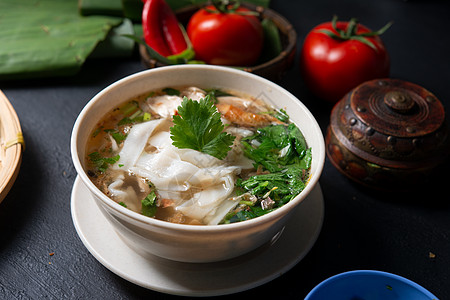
[(356, 273)]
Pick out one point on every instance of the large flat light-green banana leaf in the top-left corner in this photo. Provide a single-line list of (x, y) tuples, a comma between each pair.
[(47, 37)]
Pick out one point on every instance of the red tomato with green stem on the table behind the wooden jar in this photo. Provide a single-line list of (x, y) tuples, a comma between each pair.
[(332, 66)]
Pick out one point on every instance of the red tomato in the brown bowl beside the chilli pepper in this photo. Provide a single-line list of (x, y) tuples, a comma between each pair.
[(230, 39)]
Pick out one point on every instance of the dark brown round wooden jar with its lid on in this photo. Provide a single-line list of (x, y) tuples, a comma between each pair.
[(388, 134)]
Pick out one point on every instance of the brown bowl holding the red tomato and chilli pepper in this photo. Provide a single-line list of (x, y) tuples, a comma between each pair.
[(275, 68)]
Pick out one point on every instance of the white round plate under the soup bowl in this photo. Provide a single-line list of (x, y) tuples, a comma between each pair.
[(190, 279)]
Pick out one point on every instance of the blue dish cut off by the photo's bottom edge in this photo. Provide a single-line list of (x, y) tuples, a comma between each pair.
[(369, 285)]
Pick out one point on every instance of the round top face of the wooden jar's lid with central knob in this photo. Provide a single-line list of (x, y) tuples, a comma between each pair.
[(397, 108)]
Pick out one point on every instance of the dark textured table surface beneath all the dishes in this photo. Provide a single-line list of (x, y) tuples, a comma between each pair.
[(42, 257)]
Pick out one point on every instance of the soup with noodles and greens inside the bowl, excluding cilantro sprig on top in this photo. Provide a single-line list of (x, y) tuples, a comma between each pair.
[(131, 158)]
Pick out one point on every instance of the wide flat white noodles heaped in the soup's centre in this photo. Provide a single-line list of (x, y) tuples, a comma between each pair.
[(199, 185)]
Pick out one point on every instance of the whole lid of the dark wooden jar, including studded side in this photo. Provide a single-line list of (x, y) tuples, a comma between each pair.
[(390, 121)]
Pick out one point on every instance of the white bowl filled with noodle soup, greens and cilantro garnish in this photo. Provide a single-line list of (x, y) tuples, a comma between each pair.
[(197, 163)]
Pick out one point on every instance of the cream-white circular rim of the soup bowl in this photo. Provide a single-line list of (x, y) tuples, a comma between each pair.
[(278, 213)]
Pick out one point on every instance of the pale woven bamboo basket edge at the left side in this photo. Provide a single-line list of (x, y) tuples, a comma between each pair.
[(11, 146)]
